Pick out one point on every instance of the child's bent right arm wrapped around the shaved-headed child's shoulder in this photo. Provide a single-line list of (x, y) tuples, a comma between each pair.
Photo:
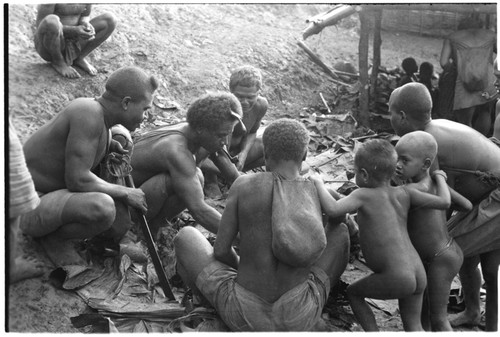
[(440, 201)]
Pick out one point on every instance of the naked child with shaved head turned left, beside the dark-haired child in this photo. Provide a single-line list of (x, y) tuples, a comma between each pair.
[(441, 255)]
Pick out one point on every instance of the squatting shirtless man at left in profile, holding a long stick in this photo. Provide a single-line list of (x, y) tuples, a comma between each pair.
[(63, 157)]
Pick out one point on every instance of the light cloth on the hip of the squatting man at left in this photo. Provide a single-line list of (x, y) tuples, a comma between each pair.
[(47, 217)]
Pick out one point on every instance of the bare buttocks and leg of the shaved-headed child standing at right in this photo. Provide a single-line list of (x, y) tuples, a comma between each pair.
[(440, 275)]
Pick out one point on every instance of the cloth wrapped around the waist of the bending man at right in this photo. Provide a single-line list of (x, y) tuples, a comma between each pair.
[(478, 231)]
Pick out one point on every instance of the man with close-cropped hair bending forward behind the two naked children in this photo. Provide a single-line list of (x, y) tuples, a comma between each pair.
[(472, 163)]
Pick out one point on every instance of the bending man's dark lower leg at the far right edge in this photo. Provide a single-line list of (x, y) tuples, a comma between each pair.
[(489, 267)]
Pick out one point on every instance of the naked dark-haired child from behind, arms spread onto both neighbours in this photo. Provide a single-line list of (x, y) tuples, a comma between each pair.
[(382, 209)]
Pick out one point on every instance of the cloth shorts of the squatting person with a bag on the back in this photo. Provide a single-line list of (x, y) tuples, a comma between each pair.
[(298, 309)]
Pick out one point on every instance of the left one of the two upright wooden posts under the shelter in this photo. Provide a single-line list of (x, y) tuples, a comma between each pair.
[(363, 116)]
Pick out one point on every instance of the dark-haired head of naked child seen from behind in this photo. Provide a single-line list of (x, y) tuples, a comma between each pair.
[(375, 162)]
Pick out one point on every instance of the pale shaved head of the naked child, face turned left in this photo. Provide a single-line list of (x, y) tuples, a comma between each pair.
[(416, 152)]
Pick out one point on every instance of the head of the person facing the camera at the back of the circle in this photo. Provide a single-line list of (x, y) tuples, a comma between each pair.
[(245, 83)]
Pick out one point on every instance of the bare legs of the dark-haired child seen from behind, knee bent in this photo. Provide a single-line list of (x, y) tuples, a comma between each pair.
[(394, 284)]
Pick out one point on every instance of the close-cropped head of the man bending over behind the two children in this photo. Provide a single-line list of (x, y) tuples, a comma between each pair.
[(410, 106)]
